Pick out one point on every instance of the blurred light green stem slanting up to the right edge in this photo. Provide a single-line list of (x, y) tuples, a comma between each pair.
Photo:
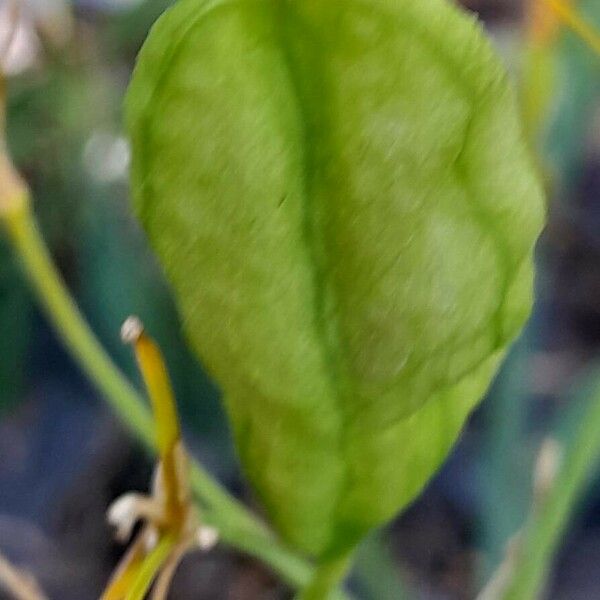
[(548, 522)]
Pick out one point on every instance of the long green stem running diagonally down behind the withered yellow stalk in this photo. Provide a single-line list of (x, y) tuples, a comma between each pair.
[(236, 524)]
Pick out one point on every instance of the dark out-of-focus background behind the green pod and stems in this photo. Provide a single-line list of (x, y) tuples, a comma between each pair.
[(64, 458)]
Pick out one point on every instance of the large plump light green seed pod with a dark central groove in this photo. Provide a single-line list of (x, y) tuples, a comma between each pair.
[(341, 199)]
